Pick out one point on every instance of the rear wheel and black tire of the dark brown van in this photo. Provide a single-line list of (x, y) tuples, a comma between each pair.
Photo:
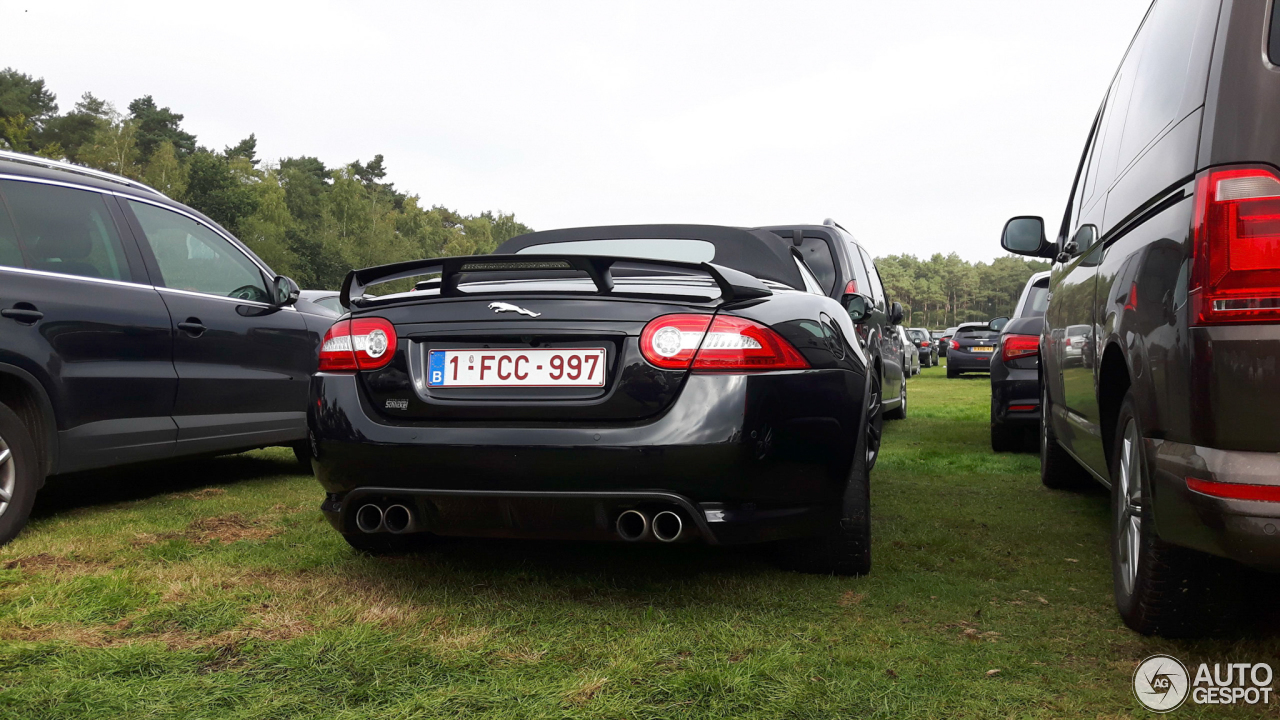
[(1162, 589)]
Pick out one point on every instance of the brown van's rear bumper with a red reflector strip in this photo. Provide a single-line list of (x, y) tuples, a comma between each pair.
[(1246, 531)]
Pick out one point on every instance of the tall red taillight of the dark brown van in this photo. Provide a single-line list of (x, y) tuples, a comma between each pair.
[(1237, 233)]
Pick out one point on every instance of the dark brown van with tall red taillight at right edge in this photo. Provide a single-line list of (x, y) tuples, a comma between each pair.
[(1167, 284)]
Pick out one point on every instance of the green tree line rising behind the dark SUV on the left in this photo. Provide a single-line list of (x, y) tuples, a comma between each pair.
[(305, 220)]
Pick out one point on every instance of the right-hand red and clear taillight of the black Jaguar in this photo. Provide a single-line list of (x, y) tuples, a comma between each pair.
[(728, 345)]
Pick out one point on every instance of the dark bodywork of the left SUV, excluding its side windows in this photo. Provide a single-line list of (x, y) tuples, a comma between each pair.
[(109, 379)]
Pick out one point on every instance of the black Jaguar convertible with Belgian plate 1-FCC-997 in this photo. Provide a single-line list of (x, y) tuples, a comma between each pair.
[(643, 384)]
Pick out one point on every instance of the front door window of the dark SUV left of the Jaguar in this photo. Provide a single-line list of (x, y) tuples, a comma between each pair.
[(193, 257)]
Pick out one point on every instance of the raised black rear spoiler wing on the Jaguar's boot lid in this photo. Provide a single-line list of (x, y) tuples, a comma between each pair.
[(734, 285)]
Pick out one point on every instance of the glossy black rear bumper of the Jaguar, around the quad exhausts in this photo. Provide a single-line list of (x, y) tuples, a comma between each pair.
[(755, 457)]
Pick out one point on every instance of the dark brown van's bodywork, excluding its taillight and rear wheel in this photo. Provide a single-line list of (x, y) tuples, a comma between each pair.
[(1209, 398)]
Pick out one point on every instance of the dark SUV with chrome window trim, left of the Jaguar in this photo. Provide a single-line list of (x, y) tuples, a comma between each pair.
[(134, 329)]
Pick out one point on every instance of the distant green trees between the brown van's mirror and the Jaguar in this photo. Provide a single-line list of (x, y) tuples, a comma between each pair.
[(944, 291)]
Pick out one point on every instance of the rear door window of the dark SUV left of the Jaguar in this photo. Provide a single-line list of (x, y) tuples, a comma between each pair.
[(67, 231)]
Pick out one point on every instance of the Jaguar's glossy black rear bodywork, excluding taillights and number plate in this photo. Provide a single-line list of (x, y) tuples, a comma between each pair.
[(758, 455)]
